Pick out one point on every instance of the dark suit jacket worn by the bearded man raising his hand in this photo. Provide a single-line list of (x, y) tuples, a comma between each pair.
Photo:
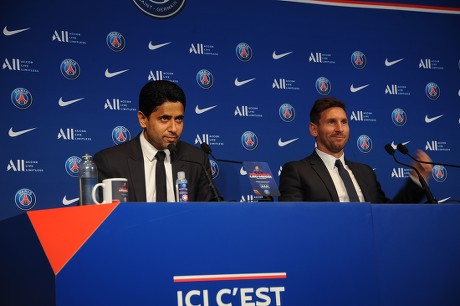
[(309, 180)]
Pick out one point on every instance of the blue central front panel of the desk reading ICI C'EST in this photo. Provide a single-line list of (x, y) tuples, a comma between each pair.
[(322, 248)]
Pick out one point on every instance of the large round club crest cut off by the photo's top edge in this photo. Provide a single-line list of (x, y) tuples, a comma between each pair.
[(160, 8)]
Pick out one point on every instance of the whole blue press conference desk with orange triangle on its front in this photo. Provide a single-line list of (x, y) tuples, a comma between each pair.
[(233, 254)]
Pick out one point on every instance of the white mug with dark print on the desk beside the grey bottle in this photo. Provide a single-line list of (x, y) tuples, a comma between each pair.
[(114, 190)]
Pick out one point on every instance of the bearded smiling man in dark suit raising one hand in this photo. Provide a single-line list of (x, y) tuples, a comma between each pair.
[(317, 177)]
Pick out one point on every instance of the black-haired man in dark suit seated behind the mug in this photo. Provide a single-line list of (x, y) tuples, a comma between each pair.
[(161, 115)]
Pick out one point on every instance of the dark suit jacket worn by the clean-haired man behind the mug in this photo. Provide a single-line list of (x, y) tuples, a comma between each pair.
[(126, 160)]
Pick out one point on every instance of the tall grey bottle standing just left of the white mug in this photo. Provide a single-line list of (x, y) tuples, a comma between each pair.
[(87, 176)]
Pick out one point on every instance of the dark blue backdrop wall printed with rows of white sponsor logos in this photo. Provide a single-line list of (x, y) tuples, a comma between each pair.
[(405, 89)]
